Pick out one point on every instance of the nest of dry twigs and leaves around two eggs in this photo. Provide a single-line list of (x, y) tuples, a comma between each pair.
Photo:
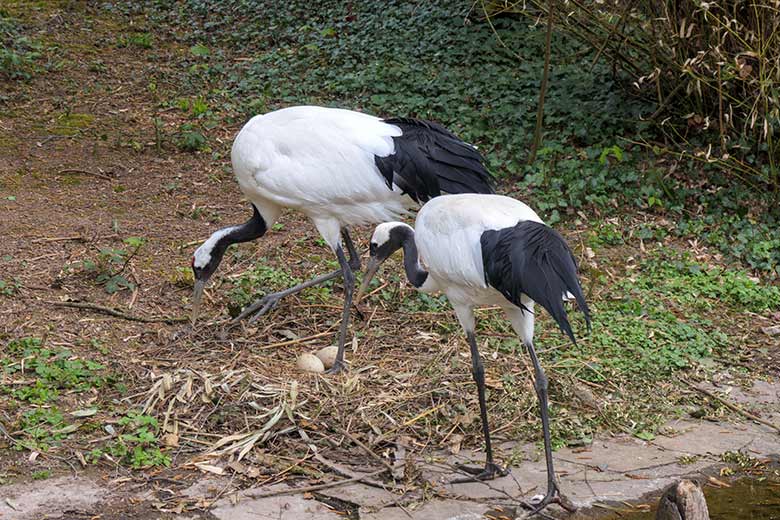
[(402, 398)]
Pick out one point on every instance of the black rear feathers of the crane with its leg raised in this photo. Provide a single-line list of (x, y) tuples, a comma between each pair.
[(429, 160)]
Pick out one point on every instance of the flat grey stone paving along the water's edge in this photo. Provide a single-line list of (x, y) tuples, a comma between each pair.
[(613, 476)]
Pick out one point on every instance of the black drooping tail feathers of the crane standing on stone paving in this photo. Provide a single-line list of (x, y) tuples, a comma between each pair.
[(533, 259)]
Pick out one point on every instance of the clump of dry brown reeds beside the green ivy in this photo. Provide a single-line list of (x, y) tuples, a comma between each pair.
[(712, 68)]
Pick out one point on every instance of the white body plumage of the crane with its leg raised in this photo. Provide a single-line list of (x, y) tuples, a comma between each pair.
[(320, 161)]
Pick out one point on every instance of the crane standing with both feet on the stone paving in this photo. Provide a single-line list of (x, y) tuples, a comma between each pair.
[(488, 250)]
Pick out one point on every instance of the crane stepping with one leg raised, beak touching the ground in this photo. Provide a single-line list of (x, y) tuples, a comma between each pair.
[(340, 168)]
